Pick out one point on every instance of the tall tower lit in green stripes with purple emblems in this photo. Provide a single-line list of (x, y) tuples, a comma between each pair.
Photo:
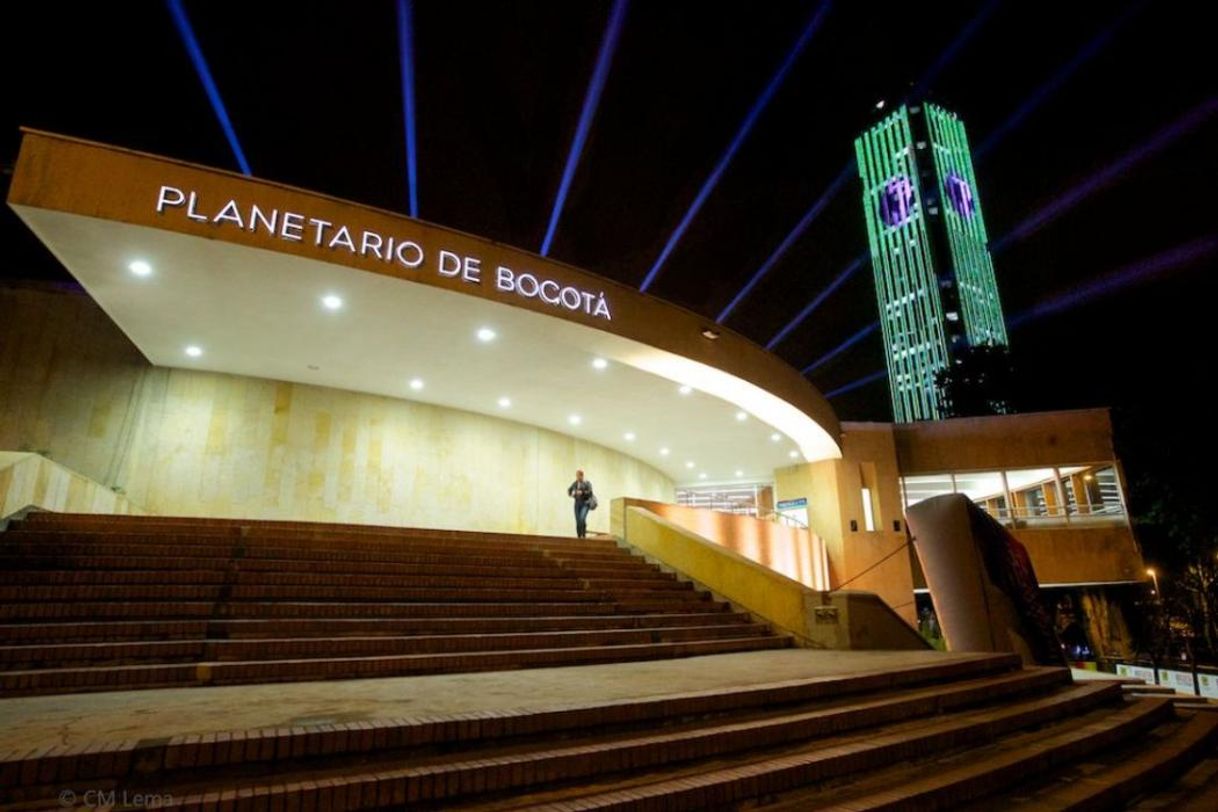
[(935, 278)]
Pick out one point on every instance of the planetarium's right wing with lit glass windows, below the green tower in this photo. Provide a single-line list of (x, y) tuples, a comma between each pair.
[(1053, 479)]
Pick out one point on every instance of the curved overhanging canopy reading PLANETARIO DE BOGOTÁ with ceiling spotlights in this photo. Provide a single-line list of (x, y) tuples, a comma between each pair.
[(239, 268)]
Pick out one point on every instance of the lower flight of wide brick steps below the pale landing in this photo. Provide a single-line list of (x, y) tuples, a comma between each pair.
[(976, 733)]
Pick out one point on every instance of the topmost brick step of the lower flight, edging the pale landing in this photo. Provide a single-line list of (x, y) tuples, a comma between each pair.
[(853, 701)]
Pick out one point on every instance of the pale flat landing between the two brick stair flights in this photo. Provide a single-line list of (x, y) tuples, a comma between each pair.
[(76, 719)]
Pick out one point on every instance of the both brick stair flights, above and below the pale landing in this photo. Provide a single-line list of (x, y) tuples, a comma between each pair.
[(976, 732)]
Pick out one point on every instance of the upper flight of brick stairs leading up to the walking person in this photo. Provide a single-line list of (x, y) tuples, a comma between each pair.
[(116, 603)]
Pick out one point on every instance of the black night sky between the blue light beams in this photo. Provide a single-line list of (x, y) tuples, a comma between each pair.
[(315, 97)]
